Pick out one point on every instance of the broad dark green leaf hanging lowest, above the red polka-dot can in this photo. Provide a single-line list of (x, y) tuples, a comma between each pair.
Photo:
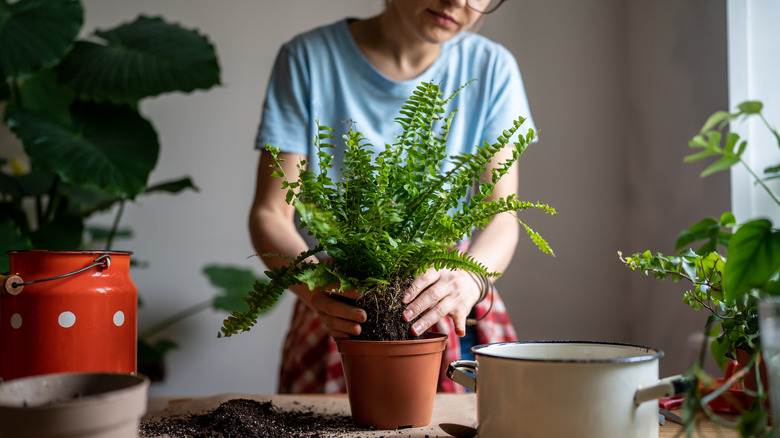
[(109, 147)]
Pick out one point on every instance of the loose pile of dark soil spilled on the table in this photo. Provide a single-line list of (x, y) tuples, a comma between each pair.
[(250, 418)]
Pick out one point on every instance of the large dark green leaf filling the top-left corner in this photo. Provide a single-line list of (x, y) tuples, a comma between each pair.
[(35, 34)]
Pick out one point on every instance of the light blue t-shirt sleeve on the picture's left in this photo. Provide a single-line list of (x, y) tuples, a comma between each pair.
[(286, 119)]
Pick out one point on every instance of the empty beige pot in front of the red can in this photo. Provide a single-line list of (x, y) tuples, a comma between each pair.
[(83, 405)]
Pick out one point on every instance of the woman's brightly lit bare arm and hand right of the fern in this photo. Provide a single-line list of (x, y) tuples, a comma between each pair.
[(436, 294)]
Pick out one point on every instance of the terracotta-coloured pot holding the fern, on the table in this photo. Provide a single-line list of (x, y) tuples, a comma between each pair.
[(392, 384)]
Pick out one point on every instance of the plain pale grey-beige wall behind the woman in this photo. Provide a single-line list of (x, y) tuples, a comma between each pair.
[(616, 89)]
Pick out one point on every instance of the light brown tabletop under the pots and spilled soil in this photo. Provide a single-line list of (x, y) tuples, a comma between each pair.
[(458, 409)]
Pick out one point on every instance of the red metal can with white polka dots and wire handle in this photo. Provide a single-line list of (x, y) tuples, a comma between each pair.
[(73, 311)]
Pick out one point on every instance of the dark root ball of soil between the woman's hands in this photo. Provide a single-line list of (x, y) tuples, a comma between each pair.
[(385, 320)]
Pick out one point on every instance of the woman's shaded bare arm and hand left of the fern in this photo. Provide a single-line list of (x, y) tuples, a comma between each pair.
[(273, 231)]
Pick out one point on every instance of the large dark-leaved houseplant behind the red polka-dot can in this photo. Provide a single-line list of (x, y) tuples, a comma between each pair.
[(75, 105)]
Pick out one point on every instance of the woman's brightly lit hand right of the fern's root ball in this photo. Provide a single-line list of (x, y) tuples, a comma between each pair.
[(436, 294)]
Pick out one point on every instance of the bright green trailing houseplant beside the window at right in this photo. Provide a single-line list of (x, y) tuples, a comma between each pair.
[(728, 272)]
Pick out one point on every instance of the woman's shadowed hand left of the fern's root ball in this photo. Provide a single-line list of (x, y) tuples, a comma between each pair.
[(341, 318)]
